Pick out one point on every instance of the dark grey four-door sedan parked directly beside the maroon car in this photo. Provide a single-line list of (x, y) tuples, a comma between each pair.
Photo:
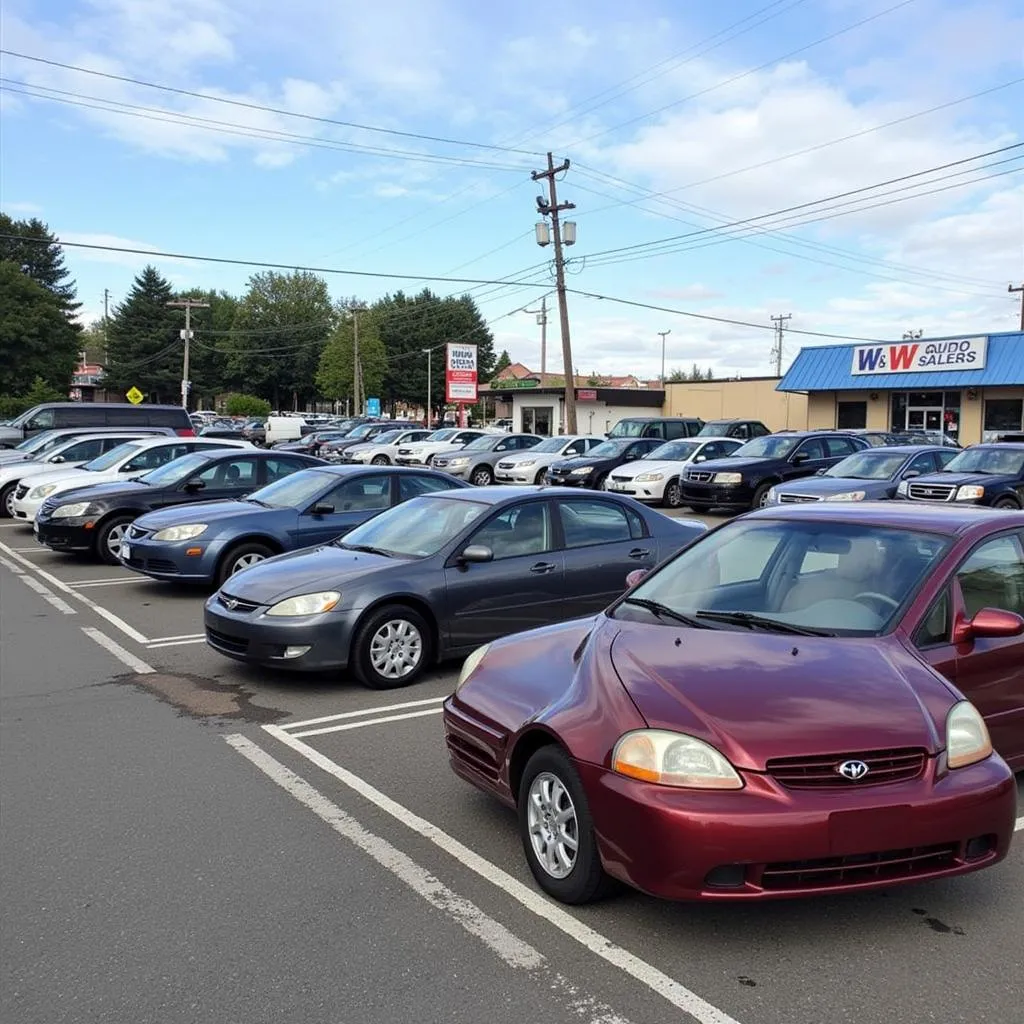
[(438, 577)]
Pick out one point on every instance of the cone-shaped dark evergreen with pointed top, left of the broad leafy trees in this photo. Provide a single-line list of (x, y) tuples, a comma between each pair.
[(145, 348)]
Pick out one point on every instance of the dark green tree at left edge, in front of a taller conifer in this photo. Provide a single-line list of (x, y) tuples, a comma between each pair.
[(37, 340)]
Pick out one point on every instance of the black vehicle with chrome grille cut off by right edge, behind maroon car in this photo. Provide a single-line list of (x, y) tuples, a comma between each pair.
[(984, 475)]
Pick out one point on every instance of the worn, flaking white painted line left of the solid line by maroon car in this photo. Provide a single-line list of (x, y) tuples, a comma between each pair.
[(514, 952)]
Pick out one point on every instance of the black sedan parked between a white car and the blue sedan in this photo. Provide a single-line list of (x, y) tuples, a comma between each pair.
[(96, 519)]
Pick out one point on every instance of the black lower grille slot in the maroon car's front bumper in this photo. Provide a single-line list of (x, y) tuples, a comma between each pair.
[(859, 869)]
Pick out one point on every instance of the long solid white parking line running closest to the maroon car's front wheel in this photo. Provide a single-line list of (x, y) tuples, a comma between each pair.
[(677, 995)]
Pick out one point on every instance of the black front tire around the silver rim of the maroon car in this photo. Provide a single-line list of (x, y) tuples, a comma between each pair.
[(586, 881)]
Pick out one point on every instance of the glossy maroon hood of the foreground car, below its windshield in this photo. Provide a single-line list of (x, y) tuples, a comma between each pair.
[(759, 696)]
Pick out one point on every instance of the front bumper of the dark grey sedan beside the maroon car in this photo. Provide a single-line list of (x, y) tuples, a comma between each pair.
[(252, 637)]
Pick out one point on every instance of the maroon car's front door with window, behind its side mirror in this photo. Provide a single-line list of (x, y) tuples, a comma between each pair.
[(989, 671)]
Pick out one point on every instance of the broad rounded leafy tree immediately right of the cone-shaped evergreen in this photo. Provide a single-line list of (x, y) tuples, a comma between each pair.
[(279, 334)]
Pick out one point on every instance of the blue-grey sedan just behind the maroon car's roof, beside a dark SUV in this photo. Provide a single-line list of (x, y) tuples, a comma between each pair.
[(873, 475)]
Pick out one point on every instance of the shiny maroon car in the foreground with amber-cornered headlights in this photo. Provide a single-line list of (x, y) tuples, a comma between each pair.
[(803, 701)]
